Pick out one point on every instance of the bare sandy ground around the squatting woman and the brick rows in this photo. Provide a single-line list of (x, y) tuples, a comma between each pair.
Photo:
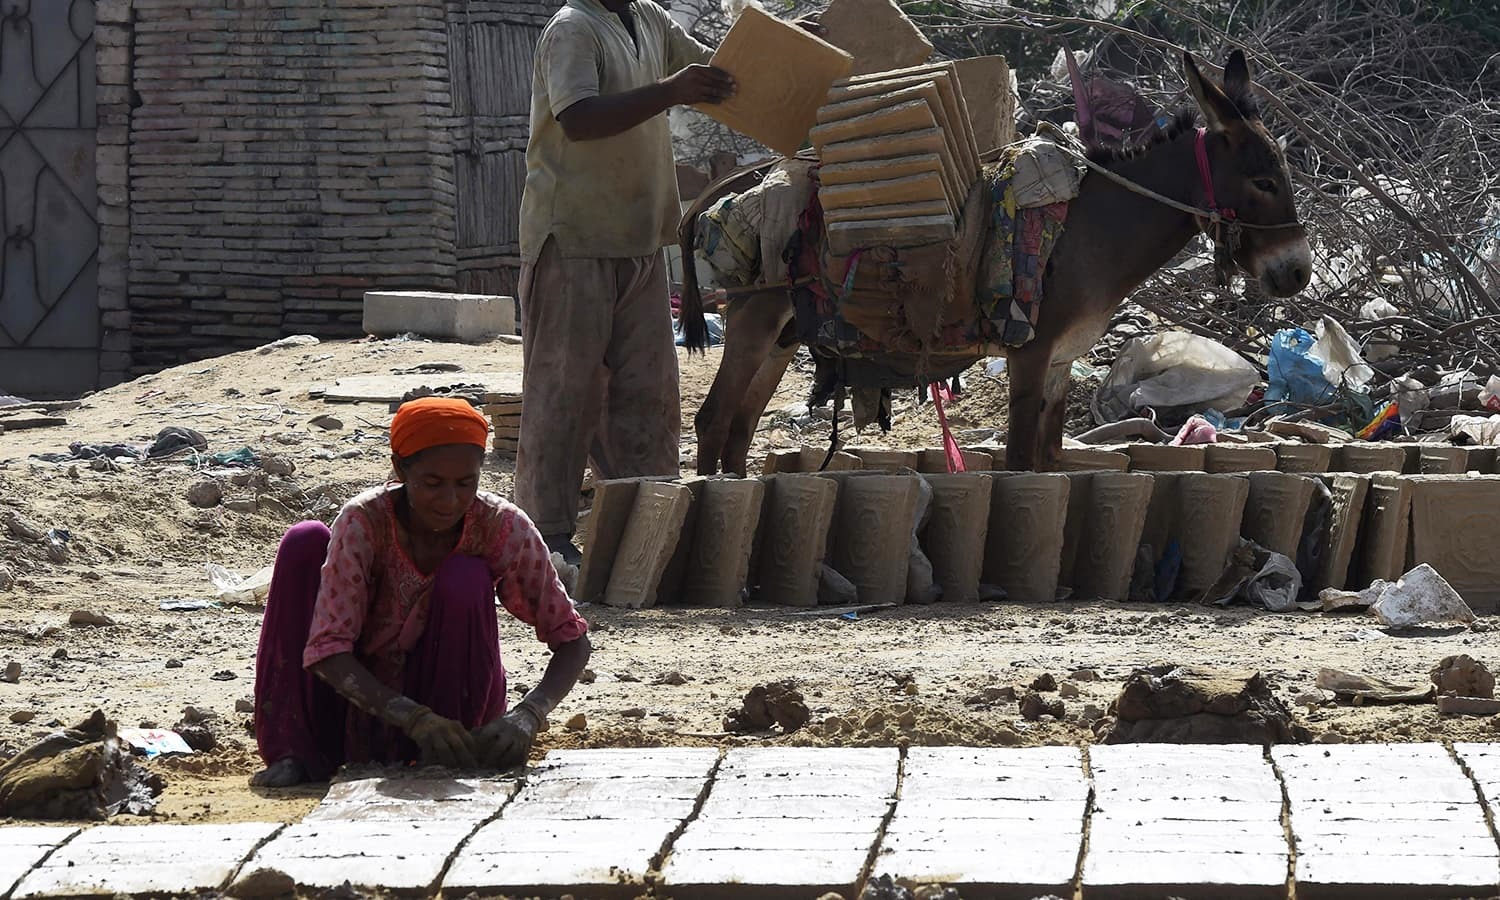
[(913, 676)]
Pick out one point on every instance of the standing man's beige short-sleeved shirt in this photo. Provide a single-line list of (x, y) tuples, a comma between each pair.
[(616, 197)]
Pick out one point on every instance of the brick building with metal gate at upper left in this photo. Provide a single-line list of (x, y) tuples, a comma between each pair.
[(193, 178)]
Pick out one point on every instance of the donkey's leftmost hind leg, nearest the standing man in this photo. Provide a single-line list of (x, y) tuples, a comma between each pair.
[(751, 332)]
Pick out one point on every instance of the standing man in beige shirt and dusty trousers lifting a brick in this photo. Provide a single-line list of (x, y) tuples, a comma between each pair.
[(601, 203)]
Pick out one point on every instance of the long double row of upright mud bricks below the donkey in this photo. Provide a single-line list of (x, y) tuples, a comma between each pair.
[(1375, 511)]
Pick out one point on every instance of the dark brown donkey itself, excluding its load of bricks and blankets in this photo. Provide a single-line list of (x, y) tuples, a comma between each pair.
[(1234, 179)]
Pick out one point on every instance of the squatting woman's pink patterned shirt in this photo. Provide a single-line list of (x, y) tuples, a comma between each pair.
[(374, 602)]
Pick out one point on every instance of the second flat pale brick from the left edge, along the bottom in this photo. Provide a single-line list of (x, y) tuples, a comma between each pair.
[(110, 860)]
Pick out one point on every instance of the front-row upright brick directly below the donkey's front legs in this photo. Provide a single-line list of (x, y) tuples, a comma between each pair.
[(1027, 535)]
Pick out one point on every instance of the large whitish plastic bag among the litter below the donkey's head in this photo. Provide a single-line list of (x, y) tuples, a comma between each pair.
[(1177, 376)]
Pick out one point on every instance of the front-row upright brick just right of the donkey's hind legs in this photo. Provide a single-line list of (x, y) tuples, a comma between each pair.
[(796, 518)]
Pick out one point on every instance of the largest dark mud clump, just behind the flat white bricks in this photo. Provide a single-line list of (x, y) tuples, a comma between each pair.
[(1180, 706)]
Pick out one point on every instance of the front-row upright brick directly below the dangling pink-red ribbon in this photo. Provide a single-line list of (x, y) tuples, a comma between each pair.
[(955, 538)]
